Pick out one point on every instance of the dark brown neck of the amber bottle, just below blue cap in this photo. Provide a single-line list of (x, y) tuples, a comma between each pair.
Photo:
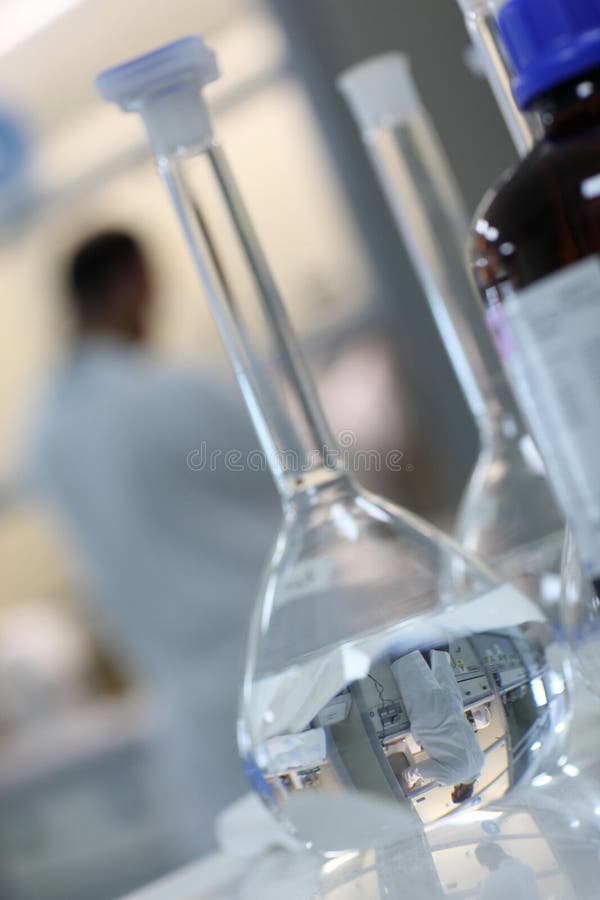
[(572, 107)]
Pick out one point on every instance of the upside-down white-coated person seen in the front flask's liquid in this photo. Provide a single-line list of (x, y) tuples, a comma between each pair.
[(435, 709)]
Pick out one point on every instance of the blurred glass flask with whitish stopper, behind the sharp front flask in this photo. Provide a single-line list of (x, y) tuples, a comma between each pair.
[(508, 515)]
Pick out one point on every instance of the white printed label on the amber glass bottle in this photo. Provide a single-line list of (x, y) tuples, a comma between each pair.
[(554, 362)]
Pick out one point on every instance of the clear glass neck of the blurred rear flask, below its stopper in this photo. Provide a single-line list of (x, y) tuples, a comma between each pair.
[(425, 200)]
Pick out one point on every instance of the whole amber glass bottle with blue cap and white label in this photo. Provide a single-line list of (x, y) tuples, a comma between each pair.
[(535, 252)]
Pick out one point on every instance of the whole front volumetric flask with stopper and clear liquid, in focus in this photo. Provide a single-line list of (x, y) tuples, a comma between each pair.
[(390, 678)]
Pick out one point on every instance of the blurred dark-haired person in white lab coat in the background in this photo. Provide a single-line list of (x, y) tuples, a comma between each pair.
[(130, 453)]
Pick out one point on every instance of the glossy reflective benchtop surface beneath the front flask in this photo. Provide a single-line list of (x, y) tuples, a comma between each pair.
[(531, 848)]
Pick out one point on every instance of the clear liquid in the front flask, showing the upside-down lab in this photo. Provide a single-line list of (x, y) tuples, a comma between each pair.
[(430, 729)]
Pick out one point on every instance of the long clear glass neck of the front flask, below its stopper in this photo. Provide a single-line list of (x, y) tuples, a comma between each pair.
[(253, 323)]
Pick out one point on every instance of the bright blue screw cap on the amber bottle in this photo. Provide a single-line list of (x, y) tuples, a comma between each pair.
[(549, 42)]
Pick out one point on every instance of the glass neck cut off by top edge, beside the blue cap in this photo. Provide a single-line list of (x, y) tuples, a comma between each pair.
[(482, 24)]
